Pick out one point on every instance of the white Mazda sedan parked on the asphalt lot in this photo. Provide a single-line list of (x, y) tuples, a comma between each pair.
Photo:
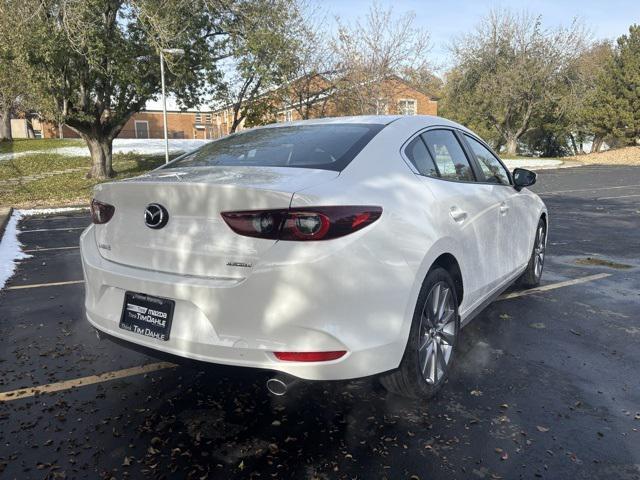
[(322, 249)]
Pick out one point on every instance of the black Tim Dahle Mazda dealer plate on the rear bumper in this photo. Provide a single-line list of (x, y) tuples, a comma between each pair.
[(147, 315)]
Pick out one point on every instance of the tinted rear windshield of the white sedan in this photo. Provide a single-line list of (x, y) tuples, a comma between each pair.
[(328, 147)]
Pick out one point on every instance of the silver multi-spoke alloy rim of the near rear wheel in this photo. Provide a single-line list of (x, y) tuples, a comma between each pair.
[(438, 332)]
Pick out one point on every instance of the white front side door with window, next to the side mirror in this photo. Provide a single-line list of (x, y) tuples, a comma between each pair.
[(513, 226)]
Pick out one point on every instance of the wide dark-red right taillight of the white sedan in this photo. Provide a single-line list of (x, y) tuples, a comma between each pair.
[(307, 223)]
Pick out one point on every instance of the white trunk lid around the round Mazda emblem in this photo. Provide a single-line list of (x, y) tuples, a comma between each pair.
[(196, 241)]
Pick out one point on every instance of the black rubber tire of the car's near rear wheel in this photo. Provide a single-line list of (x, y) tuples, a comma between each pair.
[(408, 380)]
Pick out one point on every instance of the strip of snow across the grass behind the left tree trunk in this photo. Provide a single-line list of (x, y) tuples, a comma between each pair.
[(143, 146)]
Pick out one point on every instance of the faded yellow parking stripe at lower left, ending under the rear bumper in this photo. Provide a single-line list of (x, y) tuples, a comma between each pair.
[(84, 381)]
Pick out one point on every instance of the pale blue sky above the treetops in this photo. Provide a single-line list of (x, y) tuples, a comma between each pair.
[(446, 19)]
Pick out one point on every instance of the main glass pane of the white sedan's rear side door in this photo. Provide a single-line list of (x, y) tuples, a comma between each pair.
[(448, 155)]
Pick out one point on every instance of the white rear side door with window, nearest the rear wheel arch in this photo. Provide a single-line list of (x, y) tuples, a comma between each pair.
[(467, 210)]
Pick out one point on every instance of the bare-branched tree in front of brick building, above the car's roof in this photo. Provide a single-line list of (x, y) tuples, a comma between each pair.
[(371, 50)]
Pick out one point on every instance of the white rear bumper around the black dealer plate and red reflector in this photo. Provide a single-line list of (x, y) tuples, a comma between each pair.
[(309, 302)]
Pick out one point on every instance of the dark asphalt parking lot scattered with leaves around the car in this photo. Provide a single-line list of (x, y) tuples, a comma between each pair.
[(546, 385)]
